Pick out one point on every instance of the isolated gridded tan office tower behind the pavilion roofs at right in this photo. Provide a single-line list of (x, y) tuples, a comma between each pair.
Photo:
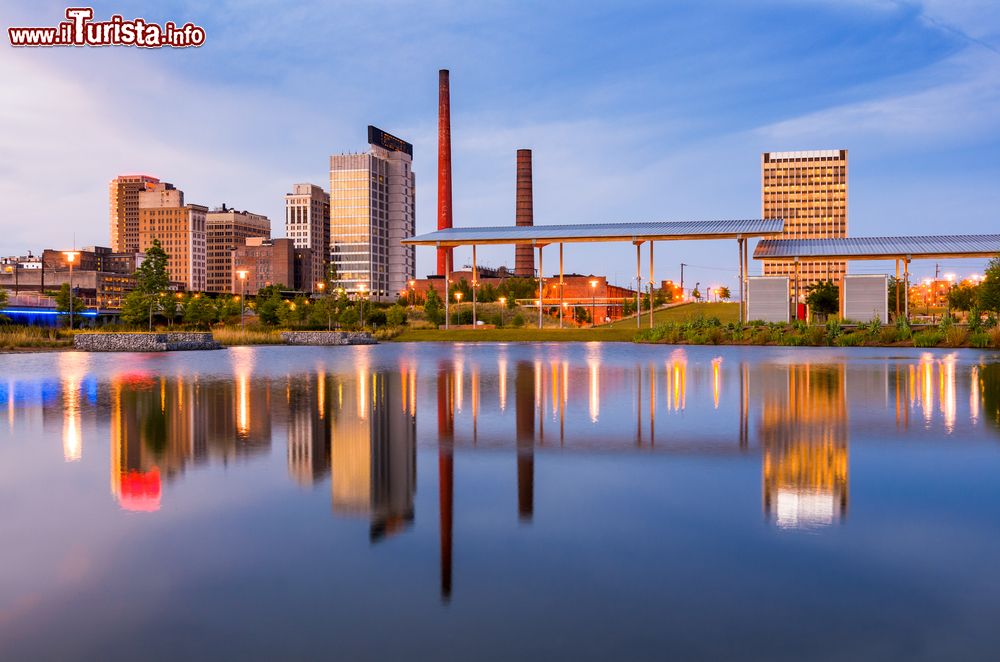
[(808, 190)]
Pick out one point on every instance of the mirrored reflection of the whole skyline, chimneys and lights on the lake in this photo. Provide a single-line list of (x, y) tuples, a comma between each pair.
[(356, 426)]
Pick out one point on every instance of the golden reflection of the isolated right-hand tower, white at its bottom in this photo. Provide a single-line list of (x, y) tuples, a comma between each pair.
[(804, 438)]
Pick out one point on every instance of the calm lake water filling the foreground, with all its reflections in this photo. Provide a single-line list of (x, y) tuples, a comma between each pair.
[(533, 501)]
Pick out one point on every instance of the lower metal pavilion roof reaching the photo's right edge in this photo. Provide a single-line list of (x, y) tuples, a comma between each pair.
[(880, 248)]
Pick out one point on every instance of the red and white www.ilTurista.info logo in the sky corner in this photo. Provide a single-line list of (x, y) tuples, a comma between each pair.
[(81, 30)]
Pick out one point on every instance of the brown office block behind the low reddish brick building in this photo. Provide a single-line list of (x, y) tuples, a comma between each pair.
[(225, 231)]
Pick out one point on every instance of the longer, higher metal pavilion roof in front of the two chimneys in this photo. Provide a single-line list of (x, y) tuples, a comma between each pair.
[(550, 234)]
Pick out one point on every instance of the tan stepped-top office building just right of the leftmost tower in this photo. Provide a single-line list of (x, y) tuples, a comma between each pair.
[(180, 229)]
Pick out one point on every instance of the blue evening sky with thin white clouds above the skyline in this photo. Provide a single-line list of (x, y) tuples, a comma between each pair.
[(634, 111)]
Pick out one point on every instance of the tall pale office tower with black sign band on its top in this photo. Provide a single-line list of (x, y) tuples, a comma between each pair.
[(371, 210)]
